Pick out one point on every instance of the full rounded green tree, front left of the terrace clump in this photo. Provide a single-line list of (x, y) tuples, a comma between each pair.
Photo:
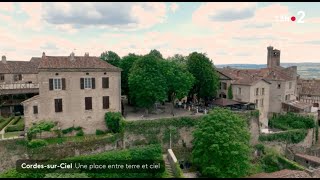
[(147, 84)]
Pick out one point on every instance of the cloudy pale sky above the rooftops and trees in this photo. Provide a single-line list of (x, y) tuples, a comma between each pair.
[(228, 32)]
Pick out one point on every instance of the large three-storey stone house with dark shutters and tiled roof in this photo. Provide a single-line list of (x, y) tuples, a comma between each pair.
[(75, 91)]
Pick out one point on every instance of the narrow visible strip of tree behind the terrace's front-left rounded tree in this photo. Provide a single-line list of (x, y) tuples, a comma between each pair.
[(125, 64)]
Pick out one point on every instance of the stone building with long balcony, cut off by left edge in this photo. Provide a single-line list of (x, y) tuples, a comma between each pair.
[(18, 82)]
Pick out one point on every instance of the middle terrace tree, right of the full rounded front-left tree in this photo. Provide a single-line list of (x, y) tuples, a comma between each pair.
[(179, 80)]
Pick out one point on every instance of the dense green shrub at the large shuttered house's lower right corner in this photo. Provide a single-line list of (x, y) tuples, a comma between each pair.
[(114, 121)]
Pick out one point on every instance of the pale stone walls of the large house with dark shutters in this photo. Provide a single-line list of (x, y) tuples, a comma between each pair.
[(73, 111)]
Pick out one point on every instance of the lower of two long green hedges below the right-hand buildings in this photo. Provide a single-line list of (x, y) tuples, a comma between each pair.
[(291, 136)]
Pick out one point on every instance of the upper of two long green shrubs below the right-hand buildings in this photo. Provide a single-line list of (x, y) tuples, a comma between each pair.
[(291, 121)]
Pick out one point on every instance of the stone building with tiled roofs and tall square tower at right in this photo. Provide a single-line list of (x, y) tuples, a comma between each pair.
[(271, 86)]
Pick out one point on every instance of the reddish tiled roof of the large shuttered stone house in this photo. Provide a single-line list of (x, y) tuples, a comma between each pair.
[(79, 62)]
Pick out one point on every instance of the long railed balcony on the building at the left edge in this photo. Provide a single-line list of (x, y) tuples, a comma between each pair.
[(19, 88)]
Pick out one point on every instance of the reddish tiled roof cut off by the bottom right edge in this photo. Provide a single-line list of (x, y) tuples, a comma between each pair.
[(283, 174)]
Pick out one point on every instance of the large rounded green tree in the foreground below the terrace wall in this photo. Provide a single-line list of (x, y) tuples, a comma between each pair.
[(221, 146)]
